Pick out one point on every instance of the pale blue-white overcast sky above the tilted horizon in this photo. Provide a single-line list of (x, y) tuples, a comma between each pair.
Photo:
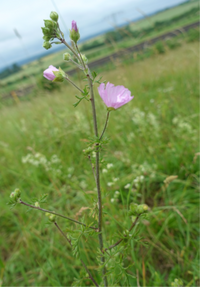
[(92, 16)]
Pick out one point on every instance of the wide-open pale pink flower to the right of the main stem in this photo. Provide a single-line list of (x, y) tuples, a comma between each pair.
[(114, 97)]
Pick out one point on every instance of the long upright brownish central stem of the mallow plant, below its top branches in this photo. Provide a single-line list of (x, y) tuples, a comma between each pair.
[(98, 180)]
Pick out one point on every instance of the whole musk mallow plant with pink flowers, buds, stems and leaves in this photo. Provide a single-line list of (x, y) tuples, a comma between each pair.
[(109, 256)]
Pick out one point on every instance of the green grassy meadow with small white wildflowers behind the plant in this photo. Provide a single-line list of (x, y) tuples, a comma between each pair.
[(156, 135)]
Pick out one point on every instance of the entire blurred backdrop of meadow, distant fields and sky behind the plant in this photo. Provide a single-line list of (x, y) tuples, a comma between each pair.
[(152, 48)]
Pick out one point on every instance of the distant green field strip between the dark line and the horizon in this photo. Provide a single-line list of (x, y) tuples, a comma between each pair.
[(30, 73)]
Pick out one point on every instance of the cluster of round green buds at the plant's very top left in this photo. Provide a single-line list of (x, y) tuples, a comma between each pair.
[(51, 30)]
